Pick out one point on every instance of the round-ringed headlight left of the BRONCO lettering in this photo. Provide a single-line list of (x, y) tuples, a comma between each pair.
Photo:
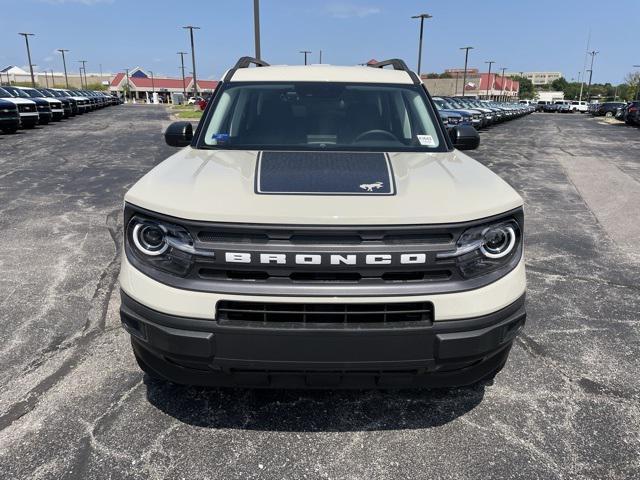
[(162, 245)]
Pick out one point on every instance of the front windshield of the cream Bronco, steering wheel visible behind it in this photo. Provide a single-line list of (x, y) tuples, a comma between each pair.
[(322, 116)]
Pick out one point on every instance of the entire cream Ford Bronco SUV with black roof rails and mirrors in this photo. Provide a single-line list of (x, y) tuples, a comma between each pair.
[(321, 229)]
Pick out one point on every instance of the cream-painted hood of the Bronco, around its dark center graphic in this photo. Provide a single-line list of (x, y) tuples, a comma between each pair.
[(220, 186)]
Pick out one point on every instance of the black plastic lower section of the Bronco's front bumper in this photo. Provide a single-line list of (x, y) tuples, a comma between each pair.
[(206, 352)]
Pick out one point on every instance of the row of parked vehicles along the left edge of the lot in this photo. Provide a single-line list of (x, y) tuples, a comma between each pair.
[(26, 107)]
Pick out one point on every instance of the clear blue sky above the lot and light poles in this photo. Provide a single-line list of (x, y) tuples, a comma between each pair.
[(520, 35)]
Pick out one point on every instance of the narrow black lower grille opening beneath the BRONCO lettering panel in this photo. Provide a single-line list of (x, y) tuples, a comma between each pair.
[(324, 313)]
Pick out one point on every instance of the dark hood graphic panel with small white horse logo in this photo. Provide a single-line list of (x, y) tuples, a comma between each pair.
[(324, 173)]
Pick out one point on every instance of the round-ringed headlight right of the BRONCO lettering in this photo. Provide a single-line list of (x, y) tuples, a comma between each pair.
[(486, 248)]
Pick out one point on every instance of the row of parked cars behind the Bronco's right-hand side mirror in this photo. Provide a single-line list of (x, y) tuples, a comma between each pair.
[(456, 111)]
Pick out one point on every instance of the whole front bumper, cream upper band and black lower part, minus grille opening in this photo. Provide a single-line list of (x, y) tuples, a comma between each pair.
[(175, 334)]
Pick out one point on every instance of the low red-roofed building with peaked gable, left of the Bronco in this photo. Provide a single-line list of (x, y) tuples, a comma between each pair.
[(142, 85)]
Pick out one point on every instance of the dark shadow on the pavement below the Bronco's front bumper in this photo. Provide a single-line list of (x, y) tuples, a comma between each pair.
[(312, 411)]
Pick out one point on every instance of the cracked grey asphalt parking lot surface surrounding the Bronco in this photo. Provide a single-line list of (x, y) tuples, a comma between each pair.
[(73, 404)]
